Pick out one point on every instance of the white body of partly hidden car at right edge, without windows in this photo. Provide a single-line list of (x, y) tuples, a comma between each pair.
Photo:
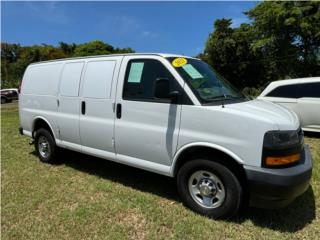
[(307, 108)]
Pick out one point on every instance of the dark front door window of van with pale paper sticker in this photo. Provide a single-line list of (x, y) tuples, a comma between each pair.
[(140, 78)]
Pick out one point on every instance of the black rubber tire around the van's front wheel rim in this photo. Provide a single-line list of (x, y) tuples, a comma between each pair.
[(231, 204)]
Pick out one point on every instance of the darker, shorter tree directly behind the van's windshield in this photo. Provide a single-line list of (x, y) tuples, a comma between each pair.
[(228, 51)]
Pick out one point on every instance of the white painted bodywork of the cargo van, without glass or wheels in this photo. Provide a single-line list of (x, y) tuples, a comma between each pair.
[(149, 135)]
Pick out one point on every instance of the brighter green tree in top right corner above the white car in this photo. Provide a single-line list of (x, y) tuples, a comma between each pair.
[(288, 33)]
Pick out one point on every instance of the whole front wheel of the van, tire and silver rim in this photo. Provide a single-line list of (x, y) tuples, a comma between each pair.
[(209, 188)]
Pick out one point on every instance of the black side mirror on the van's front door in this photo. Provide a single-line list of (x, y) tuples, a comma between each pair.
[(162, 90)]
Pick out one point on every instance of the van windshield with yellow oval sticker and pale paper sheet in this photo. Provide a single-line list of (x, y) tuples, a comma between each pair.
[(204, 80)]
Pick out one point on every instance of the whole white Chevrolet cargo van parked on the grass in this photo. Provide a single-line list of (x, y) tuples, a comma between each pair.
[(172, 115)]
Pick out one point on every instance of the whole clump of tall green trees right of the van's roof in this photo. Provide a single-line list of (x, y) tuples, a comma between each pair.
[(281, 41)]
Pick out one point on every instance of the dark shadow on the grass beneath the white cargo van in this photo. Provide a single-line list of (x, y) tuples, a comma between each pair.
[(290, 219)]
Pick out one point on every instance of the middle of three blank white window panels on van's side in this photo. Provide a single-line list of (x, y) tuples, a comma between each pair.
[(70, 79)]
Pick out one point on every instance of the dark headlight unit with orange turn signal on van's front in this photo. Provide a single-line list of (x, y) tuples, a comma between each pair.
[(282, 148)]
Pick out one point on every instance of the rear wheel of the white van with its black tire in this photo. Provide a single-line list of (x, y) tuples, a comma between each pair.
[(44, 135)]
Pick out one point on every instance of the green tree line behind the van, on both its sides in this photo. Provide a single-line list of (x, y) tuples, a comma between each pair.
[(280, 41)]
